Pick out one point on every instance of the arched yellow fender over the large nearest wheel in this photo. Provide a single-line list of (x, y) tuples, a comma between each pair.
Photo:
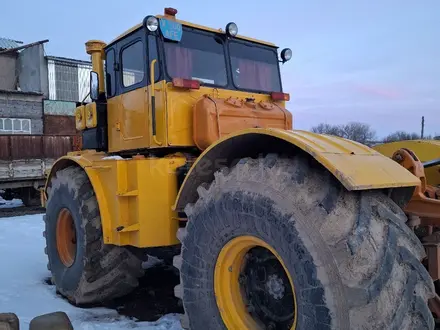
[(355, 165)]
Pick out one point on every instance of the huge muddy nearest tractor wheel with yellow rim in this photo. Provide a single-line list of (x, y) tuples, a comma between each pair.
[(278, 243)]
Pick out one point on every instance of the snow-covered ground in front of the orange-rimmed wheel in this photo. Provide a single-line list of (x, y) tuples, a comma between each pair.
[(23, 290)]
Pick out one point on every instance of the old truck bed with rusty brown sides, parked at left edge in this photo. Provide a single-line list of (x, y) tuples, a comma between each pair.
[(24, 161)]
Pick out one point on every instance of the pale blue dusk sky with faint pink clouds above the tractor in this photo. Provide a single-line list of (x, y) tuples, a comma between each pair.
[(377, 62)]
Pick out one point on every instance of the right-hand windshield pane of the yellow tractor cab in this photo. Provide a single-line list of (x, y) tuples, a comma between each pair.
[(254, 67)]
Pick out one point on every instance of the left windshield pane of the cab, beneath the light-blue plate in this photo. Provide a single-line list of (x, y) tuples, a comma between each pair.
[(197, 56)]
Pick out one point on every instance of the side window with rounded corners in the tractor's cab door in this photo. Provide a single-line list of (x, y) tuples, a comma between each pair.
[(133, 64)]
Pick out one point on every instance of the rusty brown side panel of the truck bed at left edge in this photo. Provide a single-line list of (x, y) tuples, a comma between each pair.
[(16, 147)]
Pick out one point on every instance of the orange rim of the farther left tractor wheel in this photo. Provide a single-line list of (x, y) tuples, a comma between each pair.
[(66, 237)]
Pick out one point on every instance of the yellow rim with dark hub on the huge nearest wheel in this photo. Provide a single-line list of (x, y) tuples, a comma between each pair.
[(252, 286)]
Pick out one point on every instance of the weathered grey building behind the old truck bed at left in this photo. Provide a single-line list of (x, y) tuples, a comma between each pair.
[(38, 93)]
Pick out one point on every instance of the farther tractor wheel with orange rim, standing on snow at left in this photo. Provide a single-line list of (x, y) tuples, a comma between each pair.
[(84, 269)]
